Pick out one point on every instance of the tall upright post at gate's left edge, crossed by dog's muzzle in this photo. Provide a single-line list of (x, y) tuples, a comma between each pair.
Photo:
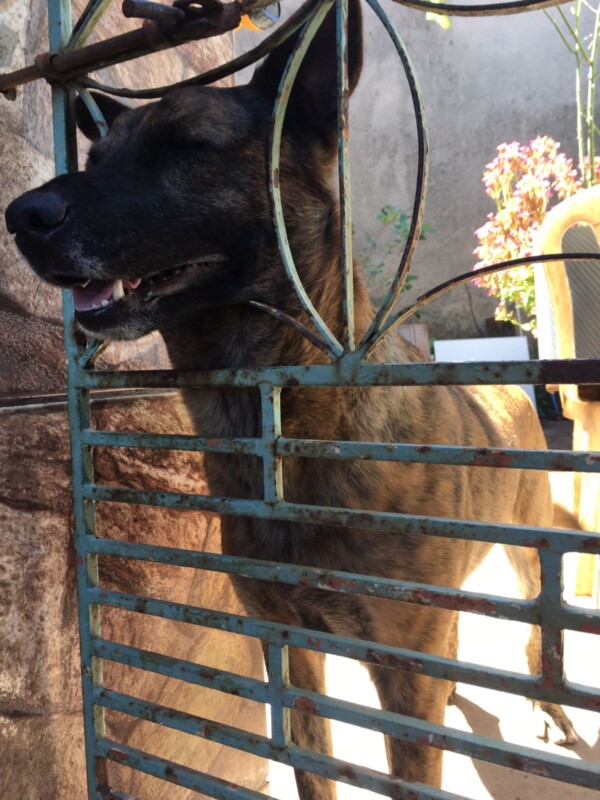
[(65, 150)]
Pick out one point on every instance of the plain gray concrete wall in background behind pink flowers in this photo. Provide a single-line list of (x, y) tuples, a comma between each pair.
[(484, 81)]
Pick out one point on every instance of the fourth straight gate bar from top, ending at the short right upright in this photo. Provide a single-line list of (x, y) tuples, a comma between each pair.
[(331, 580)]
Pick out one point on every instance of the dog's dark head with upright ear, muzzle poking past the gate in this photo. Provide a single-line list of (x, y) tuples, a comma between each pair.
[(171, 215)]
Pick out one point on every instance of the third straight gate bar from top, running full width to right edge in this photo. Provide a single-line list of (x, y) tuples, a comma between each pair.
[(542, 538)]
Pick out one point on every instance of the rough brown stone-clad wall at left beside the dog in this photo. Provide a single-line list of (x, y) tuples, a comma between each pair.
[(40, 702)]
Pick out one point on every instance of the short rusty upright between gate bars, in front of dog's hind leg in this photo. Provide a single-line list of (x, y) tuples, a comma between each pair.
[(553, 670)]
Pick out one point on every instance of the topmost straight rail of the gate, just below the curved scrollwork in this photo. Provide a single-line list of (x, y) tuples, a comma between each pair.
[(349, 372)]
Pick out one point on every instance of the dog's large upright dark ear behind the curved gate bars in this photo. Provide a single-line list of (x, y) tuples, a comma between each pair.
[(313, 103)]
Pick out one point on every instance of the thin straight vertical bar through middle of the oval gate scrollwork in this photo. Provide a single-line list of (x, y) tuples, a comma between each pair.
[(343, 93)]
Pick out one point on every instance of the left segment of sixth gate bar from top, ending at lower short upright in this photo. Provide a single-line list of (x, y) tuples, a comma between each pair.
[(188, 671)]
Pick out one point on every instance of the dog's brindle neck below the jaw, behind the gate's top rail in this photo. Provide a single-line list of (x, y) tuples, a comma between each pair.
[(244, 337)]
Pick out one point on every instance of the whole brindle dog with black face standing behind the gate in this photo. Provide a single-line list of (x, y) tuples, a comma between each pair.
[(169, 228)]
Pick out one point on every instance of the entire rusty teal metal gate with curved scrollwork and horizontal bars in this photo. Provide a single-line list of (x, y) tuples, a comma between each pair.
[(66, 67)]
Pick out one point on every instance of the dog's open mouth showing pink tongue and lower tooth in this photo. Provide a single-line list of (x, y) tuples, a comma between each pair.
[(98, 296)]
